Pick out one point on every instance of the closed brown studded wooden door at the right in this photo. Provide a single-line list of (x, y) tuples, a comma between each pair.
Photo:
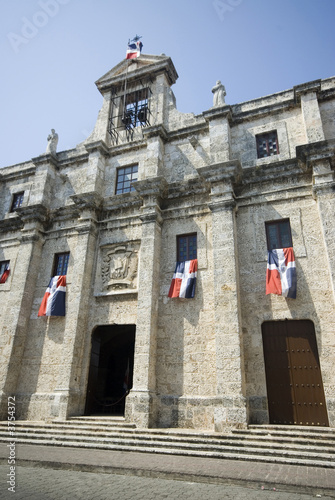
[(293, 375)]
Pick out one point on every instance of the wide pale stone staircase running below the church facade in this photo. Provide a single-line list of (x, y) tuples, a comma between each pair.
[(313, 446)]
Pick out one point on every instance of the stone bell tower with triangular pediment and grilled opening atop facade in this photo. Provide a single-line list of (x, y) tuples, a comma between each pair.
[(135, 93)]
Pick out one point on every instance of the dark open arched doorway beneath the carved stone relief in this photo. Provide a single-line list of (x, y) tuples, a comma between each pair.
[(111, 369)]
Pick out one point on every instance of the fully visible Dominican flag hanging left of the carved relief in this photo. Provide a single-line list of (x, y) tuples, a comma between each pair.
[(53, 303)]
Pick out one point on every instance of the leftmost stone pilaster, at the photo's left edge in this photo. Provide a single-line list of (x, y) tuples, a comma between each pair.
[(19, 299)]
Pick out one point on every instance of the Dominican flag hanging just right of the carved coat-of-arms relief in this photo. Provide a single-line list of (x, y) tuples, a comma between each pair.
[(184, 279)]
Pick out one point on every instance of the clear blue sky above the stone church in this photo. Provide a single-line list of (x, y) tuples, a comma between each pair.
[(52, 52)]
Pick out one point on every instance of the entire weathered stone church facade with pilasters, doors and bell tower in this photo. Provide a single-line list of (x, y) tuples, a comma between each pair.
[(116, 213)]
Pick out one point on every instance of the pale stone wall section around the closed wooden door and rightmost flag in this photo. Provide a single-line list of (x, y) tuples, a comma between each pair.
[(314, 301)]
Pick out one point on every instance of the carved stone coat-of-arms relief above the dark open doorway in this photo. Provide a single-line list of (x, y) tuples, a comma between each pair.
[(119, 268)]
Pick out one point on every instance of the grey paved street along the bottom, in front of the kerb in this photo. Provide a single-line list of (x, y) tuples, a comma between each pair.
[(49, 484)]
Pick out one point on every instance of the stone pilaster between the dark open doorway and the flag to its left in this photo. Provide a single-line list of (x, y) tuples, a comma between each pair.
[(67, 397)]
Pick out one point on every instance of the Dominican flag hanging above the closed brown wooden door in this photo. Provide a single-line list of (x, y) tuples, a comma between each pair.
[(281, 275)]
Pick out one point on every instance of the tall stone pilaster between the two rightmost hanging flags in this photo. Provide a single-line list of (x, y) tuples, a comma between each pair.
[(229, 351)]
